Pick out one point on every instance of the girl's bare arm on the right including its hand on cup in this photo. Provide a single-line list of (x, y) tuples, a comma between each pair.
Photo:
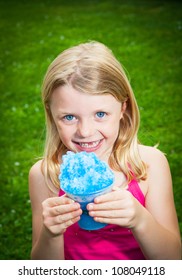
[(155, 227)]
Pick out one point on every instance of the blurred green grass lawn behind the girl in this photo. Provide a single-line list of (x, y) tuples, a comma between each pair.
[(144, 35)]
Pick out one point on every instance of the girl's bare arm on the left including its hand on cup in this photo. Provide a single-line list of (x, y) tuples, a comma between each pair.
[(51, 215)]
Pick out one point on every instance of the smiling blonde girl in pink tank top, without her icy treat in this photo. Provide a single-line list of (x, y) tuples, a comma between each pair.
[(90, 106)]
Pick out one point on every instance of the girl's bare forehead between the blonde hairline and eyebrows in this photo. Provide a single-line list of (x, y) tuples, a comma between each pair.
[(67, 98)]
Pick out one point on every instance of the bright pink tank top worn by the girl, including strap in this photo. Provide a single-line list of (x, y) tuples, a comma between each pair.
[(109, 243)]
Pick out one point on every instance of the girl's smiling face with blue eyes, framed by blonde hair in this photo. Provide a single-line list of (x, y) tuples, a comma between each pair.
[(86, 122)]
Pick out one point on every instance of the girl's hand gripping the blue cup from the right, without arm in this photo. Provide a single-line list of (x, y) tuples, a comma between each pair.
[(118, 207)]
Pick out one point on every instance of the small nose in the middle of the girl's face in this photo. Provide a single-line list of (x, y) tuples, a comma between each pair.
[(85, 128)]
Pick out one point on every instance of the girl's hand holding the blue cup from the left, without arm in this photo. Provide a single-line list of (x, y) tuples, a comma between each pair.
[(59, 213)]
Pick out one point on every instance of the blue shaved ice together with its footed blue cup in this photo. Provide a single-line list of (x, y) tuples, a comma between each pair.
[(83, 176)]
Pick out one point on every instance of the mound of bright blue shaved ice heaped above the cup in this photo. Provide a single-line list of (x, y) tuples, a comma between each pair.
[(84, 173)]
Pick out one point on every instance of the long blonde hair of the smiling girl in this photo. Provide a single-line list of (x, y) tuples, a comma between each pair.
[(91, 68)]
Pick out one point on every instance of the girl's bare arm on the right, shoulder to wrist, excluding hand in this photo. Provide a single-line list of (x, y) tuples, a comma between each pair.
[(158, 231)]
